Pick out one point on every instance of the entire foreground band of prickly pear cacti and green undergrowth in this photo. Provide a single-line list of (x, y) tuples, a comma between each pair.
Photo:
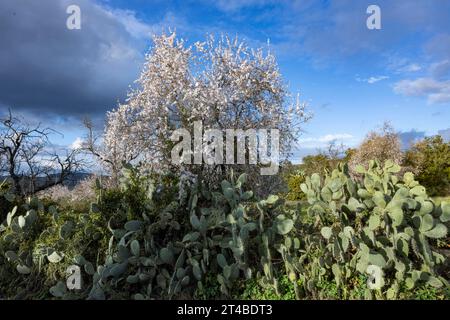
[(379, 236)]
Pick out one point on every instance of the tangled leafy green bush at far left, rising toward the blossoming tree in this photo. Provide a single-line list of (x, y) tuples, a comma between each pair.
[(39, 240)]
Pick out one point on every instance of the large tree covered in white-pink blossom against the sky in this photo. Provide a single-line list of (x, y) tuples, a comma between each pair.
[(222, 83)]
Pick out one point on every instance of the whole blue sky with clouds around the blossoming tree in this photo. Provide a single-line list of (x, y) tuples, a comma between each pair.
[(353, 78)]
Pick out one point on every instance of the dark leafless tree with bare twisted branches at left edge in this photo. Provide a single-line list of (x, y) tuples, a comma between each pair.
[(27, 160)]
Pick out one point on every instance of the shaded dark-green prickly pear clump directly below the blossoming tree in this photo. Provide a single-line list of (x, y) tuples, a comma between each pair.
[(163, 255)]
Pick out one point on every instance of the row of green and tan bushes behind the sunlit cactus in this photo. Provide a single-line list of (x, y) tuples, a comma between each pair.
[(428, 159)]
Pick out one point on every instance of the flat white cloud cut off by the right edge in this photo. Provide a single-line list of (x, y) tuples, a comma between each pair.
[(436, 91)]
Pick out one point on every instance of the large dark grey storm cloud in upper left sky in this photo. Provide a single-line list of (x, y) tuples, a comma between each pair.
[(47, 68)]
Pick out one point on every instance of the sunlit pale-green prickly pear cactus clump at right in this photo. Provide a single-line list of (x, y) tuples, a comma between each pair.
[(379, 221)]
